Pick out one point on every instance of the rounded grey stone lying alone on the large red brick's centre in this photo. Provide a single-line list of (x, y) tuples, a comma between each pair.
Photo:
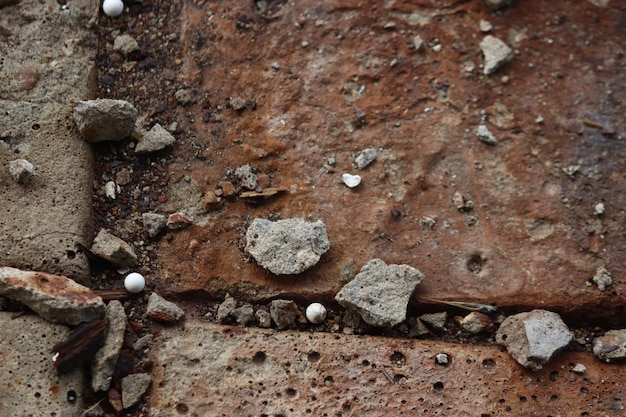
[(288, 246)]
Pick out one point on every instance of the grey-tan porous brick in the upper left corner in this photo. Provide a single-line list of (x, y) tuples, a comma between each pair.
[(48, 220)]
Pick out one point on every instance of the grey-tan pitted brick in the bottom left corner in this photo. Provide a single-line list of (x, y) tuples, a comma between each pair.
[(30, 385)]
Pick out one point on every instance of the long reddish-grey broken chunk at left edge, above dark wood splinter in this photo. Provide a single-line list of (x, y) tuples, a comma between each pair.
[(53, 297)]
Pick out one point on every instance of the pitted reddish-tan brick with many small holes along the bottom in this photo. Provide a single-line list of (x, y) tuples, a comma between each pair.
[(247, 372)]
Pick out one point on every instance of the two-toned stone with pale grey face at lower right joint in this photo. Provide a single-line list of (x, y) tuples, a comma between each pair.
[(534, 337)]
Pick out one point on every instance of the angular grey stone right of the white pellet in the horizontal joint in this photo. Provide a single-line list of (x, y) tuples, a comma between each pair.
[(380, 293)]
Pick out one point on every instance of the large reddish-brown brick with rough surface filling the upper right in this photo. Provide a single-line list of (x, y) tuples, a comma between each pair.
[(327, 80)]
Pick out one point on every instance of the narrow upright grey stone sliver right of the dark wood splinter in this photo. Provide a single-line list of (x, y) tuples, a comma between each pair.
[(103, 364)]
